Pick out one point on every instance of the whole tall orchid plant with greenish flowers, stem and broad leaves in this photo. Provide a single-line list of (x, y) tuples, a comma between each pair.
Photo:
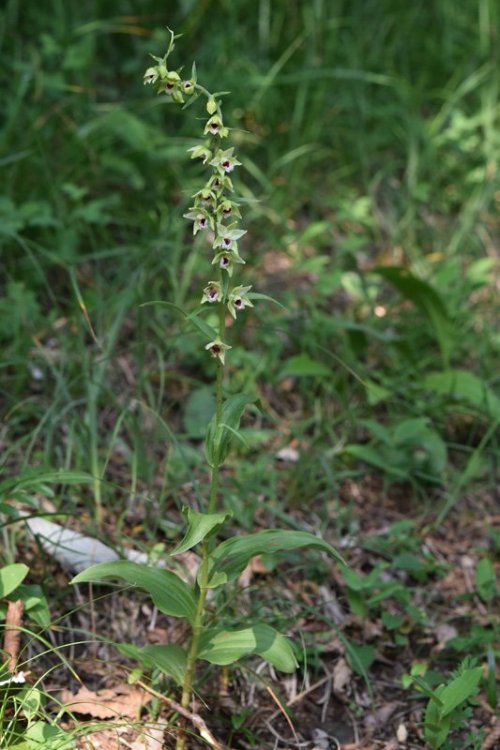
[(217, 215)]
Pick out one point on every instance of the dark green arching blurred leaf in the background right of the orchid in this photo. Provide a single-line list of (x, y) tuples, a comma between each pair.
[(426, 298)]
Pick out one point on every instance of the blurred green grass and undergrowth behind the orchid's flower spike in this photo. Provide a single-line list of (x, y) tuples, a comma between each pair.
[(369, 132)]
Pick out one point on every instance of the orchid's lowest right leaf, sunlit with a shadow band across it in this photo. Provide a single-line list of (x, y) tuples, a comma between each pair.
[(227, 646)]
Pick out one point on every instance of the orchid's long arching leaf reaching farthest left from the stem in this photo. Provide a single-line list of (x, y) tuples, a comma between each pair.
[(168, 592)]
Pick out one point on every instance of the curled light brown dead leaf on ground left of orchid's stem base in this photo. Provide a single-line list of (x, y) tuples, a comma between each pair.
[(122, 700)]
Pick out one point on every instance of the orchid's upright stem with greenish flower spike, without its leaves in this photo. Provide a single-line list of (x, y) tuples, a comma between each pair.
[(216, 215)]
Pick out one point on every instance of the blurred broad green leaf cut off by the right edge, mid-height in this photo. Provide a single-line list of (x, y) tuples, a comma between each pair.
[(461, 385)]
